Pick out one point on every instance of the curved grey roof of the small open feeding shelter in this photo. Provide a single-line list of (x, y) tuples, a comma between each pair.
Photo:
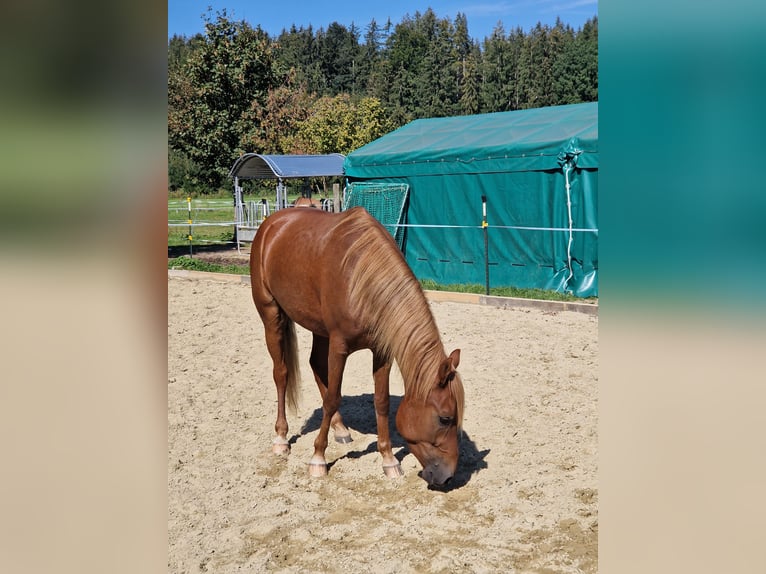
[(257, 166)]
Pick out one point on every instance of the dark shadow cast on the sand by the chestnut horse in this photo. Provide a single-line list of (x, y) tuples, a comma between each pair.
[(359, 415)]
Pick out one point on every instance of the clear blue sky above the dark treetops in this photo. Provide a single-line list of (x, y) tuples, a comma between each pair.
[(185, 17)]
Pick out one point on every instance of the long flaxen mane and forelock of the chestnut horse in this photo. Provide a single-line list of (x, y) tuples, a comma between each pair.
[(386, 295)]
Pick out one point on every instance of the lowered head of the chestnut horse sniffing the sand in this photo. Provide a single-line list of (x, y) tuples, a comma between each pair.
[(432, 427)]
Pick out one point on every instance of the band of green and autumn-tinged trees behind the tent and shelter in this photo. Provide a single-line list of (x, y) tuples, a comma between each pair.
[(234, 89)]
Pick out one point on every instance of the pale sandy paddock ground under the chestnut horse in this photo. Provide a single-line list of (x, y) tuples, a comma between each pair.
[(525, 498)]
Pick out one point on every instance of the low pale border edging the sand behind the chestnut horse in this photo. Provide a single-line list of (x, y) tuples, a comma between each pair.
[(449, 296)]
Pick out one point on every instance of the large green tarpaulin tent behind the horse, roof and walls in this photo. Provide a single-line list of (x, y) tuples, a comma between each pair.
[(535, 174)]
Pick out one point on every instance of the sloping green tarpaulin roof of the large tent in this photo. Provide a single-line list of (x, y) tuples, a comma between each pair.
[(524, 140)]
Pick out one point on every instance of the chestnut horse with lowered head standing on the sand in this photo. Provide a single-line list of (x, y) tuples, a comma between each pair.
[(350, 286)]
